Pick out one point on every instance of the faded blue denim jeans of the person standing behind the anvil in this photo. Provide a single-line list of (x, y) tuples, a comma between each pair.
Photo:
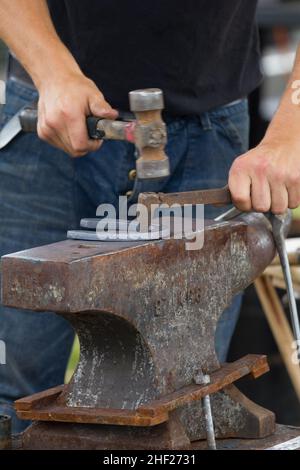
[(43, 193)]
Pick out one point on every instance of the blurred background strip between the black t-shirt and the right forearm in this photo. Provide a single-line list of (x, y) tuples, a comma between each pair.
[(279, 24)]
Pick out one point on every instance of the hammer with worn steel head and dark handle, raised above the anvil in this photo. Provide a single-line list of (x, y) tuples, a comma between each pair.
[(145, 128)]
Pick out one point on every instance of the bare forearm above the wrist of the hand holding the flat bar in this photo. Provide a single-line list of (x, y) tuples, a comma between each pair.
[(286, 121)]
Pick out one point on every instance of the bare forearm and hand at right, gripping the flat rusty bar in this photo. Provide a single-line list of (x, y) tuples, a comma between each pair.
[(268, 177)]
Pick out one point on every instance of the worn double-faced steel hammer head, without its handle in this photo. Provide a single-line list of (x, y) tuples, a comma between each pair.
[(151, 135)]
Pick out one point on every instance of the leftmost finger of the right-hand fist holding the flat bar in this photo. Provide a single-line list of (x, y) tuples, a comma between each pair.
[(240, 188)]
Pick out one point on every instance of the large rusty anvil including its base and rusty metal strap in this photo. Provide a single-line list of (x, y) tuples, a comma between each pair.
[(146, 315)]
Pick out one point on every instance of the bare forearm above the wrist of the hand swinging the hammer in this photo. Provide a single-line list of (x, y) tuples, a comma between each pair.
[(27, 29)]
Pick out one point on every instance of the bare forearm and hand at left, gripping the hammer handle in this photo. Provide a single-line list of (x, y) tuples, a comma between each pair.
[(66, 96)]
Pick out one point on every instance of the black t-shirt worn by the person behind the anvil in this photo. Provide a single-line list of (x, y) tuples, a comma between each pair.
[(201, 53)]
